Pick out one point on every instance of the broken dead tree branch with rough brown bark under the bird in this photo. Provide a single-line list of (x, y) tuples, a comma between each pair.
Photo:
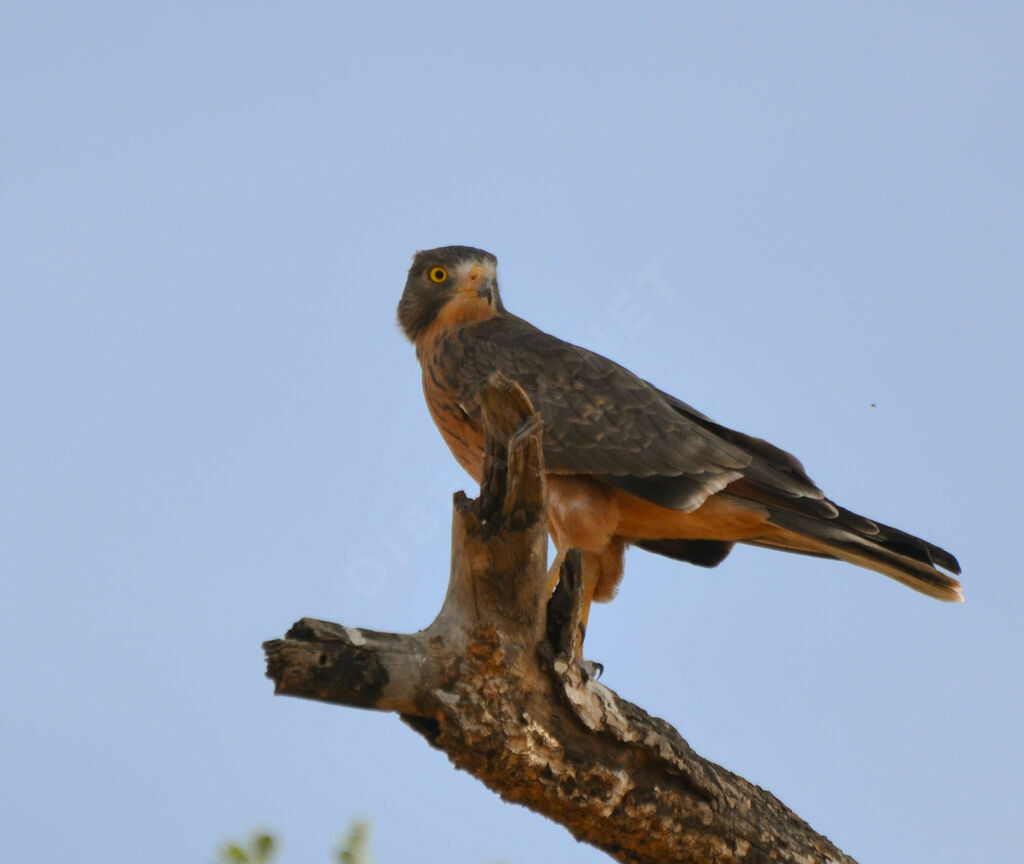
[(493, 683)]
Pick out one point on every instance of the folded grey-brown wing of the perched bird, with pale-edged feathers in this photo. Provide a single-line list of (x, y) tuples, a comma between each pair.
[(601, 419)]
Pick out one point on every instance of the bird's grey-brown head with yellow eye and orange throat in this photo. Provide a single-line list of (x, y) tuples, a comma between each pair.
[(452, 285)]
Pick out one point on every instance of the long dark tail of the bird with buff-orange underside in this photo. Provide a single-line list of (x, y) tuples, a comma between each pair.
[(867, 544)]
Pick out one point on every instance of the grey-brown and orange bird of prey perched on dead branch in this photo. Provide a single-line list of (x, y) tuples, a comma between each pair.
[(627, 464)]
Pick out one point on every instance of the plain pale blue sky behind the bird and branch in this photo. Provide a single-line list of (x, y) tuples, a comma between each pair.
[(805, 220)]
